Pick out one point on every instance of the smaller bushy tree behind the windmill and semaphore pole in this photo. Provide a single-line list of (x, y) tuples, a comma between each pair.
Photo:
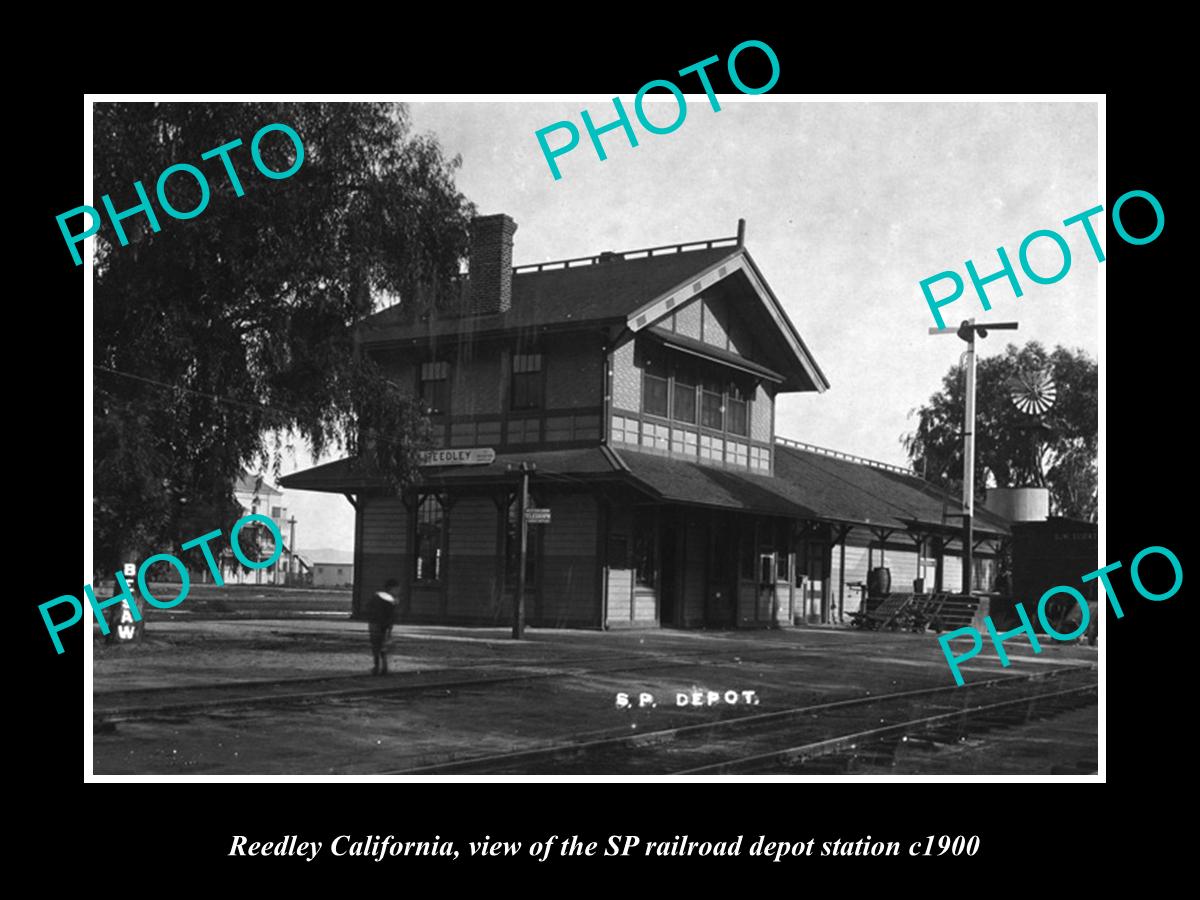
[(1057, 451)]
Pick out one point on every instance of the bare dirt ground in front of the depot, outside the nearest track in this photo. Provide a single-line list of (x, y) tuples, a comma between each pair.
[(165, 706)]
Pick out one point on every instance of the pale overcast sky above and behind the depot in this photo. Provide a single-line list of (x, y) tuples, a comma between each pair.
[(848, 208)]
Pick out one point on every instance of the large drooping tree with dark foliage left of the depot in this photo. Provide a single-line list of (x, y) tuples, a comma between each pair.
[(223, 339)]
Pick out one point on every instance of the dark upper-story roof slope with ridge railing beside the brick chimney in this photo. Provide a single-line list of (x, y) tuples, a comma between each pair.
[(602, 293)]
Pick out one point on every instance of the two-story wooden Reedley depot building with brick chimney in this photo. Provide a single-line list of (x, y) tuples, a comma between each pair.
[(643, 386)]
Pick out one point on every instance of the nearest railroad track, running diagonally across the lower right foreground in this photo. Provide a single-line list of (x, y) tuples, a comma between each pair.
[(823, 731)]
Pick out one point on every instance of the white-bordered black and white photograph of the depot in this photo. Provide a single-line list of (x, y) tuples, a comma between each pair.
[(671, 435)]
